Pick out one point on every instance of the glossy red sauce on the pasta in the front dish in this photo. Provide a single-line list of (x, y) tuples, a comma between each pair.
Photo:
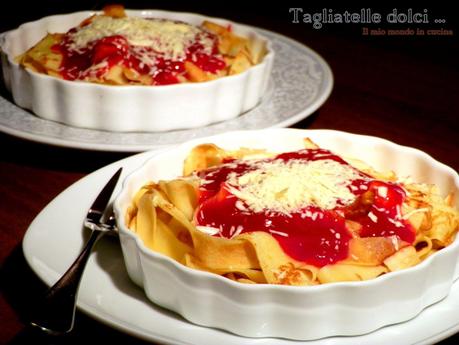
[(312, 235)]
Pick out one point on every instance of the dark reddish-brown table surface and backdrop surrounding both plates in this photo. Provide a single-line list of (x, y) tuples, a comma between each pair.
[(401, 88)]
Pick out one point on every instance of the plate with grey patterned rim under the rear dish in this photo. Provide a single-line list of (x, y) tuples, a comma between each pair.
[(300, 83)]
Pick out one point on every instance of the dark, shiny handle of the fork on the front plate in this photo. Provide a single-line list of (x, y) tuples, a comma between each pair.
[(55, 313)]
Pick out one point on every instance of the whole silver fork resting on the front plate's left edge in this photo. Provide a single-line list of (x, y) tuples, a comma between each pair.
[(55, 314)]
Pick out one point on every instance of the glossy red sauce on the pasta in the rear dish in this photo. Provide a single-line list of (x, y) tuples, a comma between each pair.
[(115, 50)]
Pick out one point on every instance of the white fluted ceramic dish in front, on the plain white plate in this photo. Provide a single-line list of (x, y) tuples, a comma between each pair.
[(303, 313)]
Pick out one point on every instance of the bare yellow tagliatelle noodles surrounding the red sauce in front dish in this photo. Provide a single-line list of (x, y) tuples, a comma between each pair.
[(162, 214)]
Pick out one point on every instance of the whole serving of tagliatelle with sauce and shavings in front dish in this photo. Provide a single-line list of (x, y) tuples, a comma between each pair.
[(297, 218)]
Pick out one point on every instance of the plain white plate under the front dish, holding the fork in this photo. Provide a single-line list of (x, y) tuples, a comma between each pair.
[(56, 236)]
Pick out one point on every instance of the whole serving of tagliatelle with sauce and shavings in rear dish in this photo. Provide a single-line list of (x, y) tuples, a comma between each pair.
[(113, 48)]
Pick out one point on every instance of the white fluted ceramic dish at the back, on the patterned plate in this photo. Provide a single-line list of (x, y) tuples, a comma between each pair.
[(131, 108)]
